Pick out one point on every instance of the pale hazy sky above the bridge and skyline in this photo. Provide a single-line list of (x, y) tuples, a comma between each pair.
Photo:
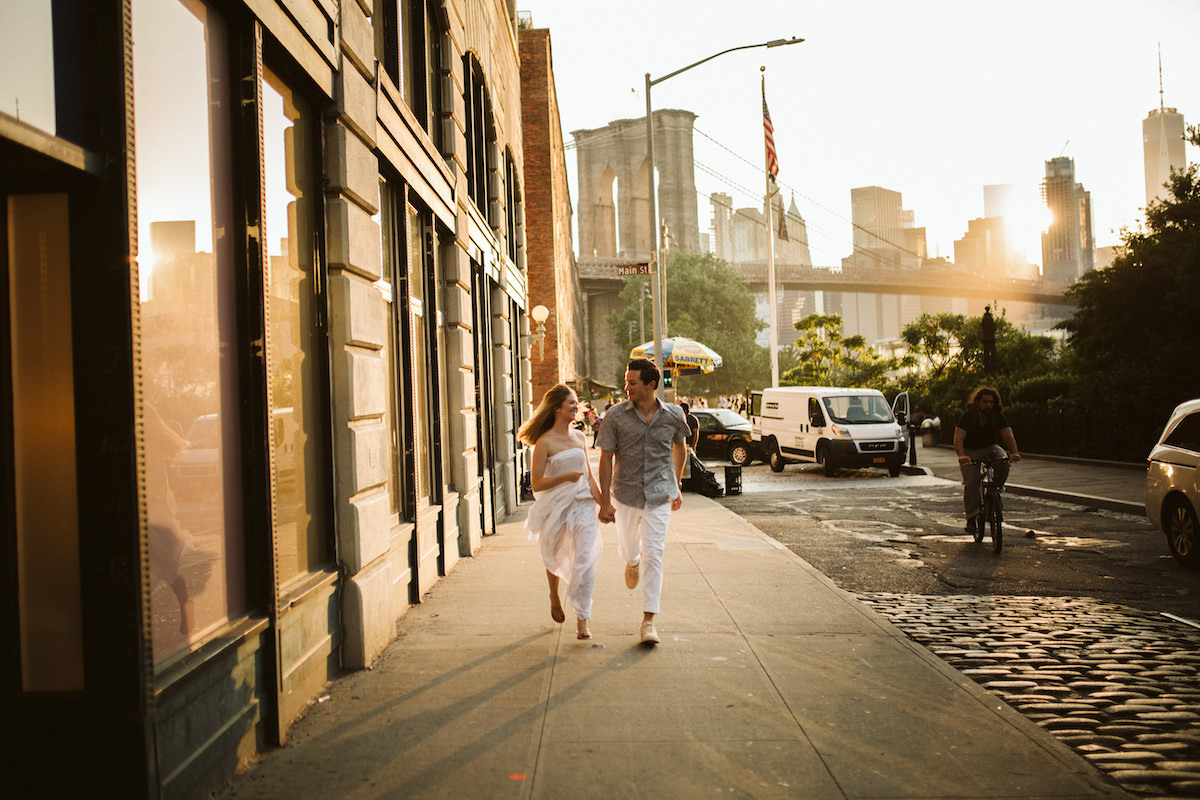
[(934, 99)]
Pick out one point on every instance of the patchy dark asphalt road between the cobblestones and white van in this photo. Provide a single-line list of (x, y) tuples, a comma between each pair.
[(871, 533)]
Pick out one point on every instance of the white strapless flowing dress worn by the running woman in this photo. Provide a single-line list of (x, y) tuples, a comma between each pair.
[(565, 521)]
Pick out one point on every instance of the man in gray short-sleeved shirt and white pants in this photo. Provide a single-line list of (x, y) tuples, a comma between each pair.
[(647, 437)]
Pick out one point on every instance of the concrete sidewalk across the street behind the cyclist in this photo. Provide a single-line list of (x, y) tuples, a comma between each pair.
[(1117, 488)]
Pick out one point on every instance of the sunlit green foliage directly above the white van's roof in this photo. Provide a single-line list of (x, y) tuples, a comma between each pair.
[(826, 358)]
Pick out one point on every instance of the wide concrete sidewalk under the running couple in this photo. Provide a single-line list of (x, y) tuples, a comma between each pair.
[(770, 683)]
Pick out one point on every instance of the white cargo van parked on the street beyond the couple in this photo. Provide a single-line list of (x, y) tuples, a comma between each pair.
[(829, 426)]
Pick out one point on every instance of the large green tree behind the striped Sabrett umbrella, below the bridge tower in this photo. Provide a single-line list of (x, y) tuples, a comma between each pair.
[(710, 303)]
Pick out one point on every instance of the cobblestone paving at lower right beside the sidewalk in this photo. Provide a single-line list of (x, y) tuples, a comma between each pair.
[(1120, 685)]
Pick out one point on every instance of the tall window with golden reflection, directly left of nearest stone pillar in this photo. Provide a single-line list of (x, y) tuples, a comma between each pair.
[(293, 365)]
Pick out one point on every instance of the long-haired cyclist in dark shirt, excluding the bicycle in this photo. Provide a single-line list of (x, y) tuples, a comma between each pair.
[(982, 435)]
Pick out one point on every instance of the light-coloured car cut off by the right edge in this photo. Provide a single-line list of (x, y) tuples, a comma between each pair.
[(1173, 494)]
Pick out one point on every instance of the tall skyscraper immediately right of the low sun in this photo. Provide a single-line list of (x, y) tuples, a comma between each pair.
[(1069, 246)]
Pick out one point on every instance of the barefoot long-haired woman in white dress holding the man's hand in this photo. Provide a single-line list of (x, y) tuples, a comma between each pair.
[(563, 516)]
